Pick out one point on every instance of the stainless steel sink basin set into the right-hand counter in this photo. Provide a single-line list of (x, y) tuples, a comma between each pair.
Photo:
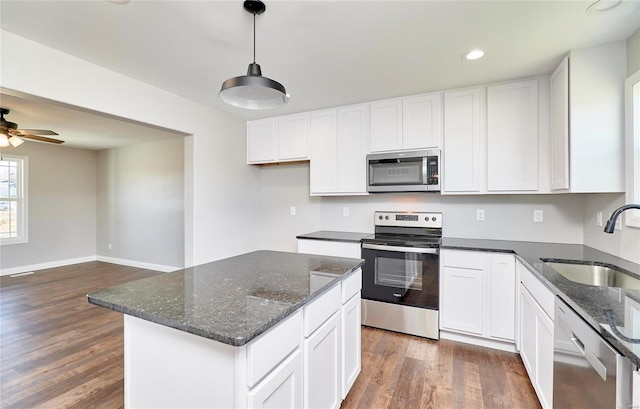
[(593, 274)]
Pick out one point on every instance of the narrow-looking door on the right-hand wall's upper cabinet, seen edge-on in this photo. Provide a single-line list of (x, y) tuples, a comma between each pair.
[(560, 126)]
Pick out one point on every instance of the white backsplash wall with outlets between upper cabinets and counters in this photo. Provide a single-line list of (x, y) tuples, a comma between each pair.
[(507, 217)]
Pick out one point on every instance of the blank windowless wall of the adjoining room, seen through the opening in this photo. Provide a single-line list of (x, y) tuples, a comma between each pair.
[(141, 204)]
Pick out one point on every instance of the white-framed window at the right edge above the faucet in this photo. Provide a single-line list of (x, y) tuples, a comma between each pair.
[(632, 96)]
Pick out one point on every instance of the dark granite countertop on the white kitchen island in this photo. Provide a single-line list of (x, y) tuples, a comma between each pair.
[(232, 300)]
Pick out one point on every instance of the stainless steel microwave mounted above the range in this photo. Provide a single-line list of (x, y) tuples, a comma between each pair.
[(413, 171)]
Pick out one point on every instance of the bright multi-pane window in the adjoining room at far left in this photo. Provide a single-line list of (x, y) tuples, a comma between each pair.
[(13, 200)]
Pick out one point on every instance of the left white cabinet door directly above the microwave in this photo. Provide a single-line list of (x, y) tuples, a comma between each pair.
[(386, 125)]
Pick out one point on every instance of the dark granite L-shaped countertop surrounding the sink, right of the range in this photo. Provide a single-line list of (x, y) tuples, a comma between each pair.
[(613, 312)]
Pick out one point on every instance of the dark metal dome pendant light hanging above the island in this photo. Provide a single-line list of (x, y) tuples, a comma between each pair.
[(253, 91)]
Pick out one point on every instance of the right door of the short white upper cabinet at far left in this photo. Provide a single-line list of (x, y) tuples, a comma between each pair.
[(293, 137)]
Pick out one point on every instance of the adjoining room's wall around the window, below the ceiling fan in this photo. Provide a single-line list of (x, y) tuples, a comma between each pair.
[(61, 207)]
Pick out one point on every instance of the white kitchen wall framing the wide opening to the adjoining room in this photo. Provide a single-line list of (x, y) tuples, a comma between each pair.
[(221, 192)]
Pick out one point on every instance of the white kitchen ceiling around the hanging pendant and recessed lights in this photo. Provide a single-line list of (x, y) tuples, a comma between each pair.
[(326, 53)]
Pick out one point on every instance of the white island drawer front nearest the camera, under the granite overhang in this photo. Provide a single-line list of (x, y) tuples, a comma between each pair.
[(269, 349)]
